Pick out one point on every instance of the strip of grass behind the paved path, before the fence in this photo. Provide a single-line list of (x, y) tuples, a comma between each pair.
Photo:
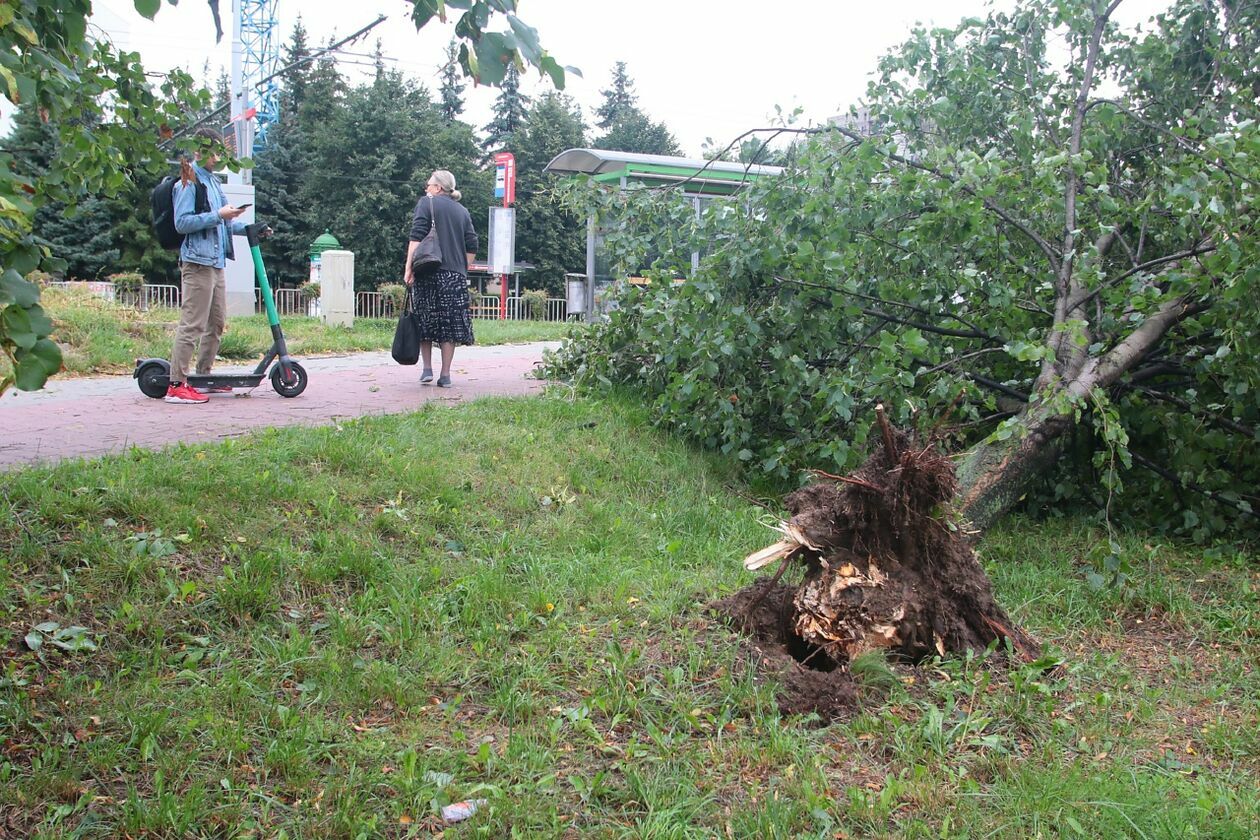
[(99, 337)]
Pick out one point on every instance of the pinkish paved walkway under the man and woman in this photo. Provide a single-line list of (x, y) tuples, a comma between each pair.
[(104, 415)]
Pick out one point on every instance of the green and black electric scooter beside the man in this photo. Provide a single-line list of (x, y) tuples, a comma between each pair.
[(288, 377)]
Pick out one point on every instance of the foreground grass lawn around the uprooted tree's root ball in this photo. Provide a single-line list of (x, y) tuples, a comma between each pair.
[(332, 633)]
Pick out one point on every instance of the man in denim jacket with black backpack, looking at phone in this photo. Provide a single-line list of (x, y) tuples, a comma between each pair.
[(202, 258)]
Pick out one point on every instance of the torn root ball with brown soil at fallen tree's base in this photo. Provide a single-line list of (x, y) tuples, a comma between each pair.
[(886, 567)]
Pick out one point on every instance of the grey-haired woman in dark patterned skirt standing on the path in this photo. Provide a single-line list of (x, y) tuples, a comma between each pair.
[(440, 298)]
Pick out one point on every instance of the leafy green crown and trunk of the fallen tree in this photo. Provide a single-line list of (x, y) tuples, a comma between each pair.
[(1045, 241)]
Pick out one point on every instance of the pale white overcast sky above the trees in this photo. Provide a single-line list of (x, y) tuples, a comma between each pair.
[(707, 69)]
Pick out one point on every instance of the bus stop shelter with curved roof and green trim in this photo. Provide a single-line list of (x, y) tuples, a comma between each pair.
[(700, 181)]
